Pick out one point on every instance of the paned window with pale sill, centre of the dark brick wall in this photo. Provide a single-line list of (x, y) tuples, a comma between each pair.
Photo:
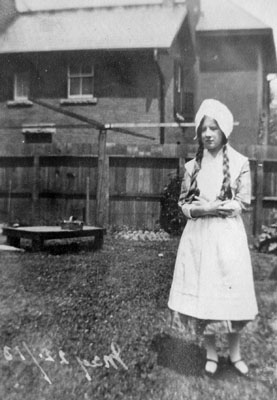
[(80, 80)]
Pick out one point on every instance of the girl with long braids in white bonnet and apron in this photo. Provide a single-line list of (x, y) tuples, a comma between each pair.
[(213, 285)]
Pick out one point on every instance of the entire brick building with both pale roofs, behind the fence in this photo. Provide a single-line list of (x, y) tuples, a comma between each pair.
[(132, 61)]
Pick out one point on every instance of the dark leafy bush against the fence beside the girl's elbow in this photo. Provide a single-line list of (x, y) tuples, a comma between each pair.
[(173, 220)]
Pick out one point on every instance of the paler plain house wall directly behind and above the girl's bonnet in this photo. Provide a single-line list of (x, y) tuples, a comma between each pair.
[(231, 72)]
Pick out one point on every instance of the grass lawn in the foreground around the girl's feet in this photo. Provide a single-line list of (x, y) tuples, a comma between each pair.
[(66, 317)]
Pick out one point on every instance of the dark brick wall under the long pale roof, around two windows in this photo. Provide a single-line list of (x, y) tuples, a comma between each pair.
[(126, 88)]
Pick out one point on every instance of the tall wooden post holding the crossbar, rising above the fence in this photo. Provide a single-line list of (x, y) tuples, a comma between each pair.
[(102, 194)]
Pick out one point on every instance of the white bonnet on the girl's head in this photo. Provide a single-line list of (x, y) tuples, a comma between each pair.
[(218, 111)]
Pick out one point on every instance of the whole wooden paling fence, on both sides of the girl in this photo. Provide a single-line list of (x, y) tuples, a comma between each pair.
[(118, 185)]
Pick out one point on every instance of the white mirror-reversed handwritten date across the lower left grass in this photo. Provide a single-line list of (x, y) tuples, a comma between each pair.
[(12, 354)]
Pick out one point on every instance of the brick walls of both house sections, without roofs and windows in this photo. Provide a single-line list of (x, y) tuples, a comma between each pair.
[(127, 89)]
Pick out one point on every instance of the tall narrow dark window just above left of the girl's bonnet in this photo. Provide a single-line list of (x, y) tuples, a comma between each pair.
[(183, 98)]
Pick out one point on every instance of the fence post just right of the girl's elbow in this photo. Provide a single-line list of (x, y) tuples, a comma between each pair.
[(259, 197)]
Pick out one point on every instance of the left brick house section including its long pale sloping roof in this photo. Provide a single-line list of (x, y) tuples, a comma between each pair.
[(114, 61)]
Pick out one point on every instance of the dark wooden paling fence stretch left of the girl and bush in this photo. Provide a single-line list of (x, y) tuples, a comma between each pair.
[(46, 188)]
